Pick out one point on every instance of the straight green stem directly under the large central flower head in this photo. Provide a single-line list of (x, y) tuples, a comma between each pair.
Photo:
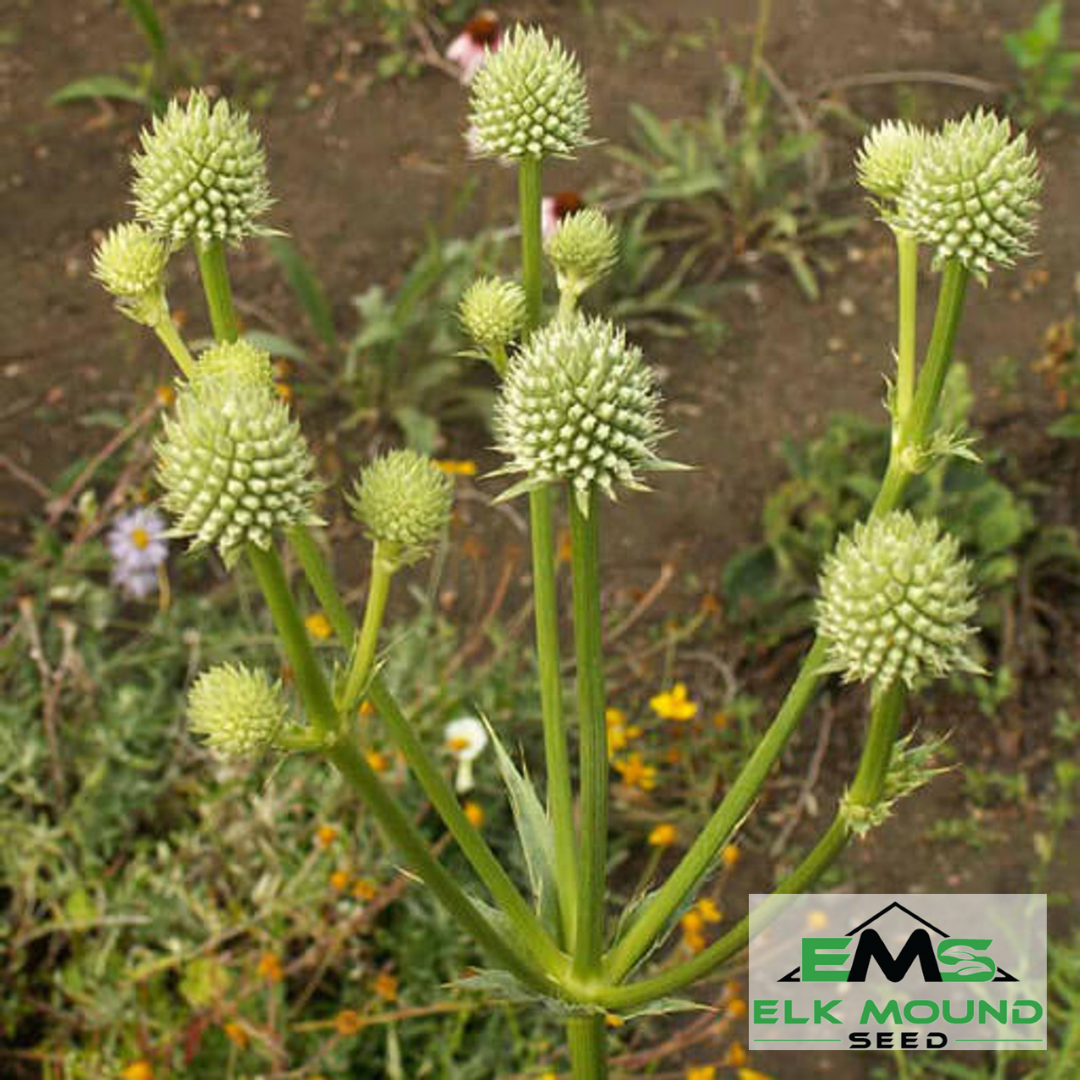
[(592, 735)]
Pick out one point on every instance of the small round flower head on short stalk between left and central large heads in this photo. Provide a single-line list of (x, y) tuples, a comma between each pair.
[(403, 501)]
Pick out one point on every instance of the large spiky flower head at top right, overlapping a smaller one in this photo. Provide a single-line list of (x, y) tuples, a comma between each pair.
[(974, 194)]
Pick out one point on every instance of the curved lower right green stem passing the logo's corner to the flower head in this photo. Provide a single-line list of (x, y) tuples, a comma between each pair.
[(866, 791)]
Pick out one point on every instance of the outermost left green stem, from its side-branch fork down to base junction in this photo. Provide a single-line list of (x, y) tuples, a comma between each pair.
[(352, 764)]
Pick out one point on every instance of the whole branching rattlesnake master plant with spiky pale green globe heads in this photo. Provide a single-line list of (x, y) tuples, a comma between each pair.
[(578, 413)]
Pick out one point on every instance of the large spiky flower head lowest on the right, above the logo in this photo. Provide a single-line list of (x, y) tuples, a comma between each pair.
[(896, 603)]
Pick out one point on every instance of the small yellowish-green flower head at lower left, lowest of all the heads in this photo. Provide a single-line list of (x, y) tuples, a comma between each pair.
[(238, 711)]
